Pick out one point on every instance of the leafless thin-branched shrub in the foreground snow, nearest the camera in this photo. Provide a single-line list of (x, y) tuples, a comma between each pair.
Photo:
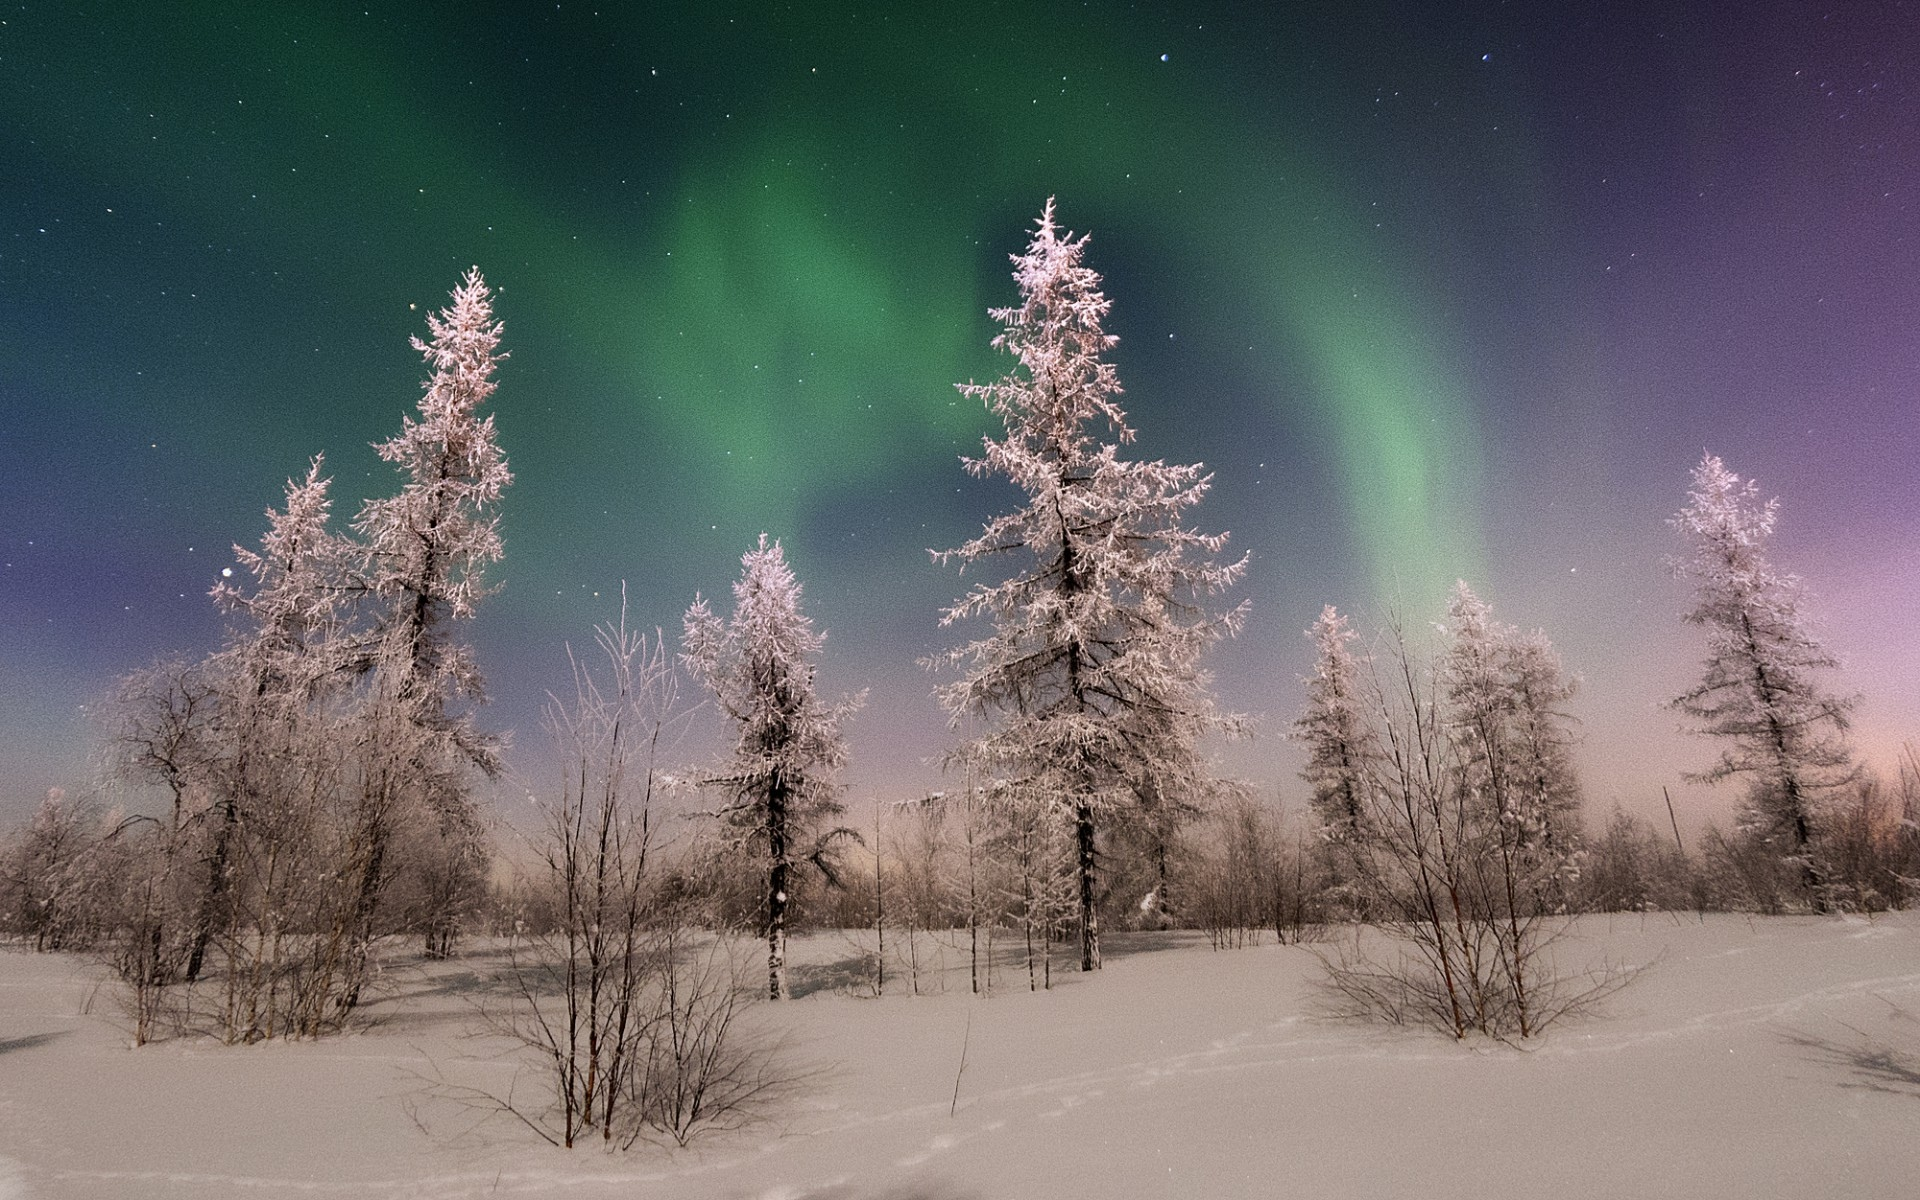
[(633, 1017)]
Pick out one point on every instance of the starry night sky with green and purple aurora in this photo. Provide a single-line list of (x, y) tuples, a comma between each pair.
[(1435, 291)]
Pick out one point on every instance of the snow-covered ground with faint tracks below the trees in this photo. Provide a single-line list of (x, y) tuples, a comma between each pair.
[(1754, 1059)]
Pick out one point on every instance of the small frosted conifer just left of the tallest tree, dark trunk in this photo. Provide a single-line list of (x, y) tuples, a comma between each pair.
[(780, 784)]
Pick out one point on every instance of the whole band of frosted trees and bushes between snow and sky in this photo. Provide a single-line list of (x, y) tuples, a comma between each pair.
[(324, 765)]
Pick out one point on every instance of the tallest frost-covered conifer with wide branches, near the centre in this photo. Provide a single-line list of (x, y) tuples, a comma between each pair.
[(1090, 681)]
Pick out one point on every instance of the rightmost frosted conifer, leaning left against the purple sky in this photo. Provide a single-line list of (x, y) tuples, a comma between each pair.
[(1760, 696)]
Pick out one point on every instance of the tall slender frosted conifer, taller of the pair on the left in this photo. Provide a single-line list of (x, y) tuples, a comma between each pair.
[(425, 558)]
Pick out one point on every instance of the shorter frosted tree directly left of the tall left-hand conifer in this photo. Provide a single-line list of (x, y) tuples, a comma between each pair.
[(281, 876)]
